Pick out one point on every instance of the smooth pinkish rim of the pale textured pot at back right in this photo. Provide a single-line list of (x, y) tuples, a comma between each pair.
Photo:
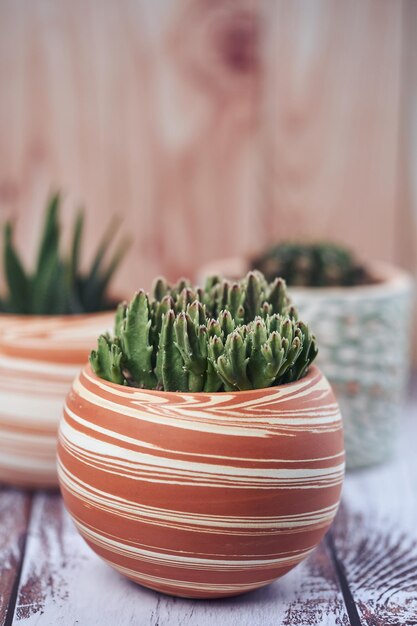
[(388, 278)]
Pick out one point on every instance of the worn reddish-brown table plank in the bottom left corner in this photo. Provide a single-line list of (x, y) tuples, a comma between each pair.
[(14, 517)]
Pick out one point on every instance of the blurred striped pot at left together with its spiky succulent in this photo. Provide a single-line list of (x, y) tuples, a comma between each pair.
[(48, 321)]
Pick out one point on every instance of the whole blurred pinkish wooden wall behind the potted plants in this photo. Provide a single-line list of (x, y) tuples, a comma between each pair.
[(213, 126)]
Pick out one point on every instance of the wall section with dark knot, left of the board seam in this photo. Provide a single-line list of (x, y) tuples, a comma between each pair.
[(130, 116)]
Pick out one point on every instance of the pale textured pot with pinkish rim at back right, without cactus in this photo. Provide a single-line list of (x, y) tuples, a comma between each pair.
[(364, 340)]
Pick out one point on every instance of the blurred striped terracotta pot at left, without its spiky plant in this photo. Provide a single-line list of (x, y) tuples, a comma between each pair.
[(39, 359)]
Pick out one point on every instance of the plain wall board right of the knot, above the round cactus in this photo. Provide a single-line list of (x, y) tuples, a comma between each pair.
[(333, 155)]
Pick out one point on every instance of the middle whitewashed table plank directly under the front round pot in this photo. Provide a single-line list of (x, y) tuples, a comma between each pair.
[(63, 582)]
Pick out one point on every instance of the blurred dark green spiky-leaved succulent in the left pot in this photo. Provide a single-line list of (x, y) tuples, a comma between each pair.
[(57, 286)]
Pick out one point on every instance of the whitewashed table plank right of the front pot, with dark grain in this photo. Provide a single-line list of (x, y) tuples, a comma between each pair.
[(375, 535)]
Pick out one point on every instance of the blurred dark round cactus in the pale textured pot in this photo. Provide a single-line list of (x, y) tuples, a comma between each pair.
[(311, 265)]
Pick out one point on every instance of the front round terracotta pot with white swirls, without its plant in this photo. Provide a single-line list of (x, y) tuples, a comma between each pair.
[(201, 495)]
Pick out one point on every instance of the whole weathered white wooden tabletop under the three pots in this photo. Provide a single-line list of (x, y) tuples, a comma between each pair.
[(364, 572)]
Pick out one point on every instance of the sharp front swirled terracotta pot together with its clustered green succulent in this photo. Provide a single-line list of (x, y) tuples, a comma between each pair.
[(201, 452)]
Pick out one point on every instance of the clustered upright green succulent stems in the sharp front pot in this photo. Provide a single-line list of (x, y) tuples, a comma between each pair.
[(225, 337)]
